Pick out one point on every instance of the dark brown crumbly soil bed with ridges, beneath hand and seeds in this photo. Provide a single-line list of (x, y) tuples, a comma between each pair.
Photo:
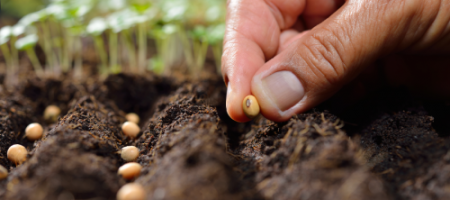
[(389, 146)]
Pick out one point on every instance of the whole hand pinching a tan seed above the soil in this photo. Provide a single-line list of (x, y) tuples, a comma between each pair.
[(268, 53)]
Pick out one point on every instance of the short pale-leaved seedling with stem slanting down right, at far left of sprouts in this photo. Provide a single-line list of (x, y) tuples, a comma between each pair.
[(27, 44)]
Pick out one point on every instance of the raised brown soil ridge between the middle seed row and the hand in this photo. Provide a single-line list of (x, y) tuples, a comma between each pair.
[(184, 154)]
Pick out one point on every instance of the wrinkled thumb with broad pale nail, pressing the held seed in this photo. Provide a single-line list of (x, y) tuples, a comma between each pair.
[(321, 61)]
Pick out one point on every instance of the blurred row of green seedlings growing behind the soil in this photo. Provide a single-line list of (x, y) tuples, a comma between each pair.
[(122, 32)]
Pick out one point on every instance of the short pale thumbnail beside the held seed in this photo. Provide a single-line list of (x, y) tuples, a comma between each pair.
[(284, 89)]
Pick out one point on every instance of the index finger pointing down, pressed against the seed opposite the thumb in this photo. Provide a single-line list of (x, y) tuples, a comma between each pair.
[(252, 37)]
